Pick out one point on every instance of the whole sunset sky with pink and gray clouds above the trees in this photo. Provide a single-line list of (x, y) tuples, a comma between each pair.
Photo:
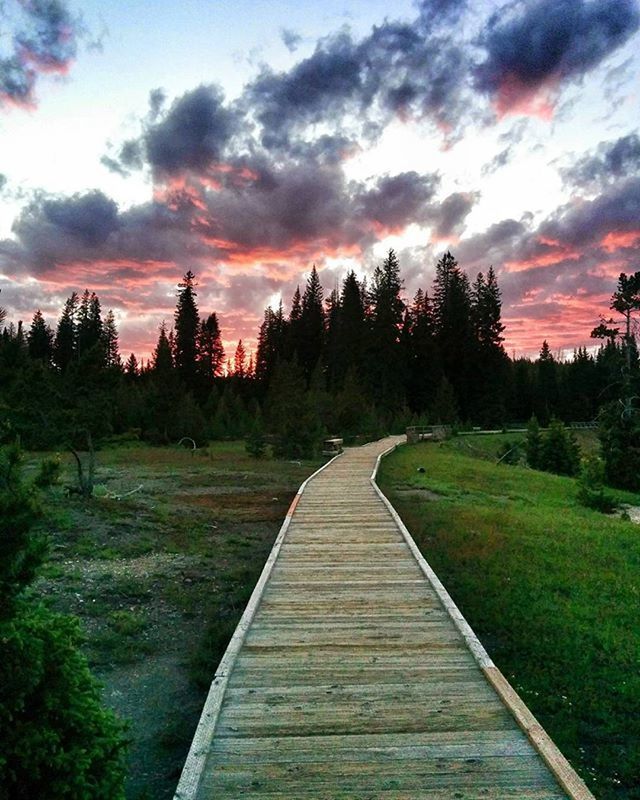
[(247, 141)]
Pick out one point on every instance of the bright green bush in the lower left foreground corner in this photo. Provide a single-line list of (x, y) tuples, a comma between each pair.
[(58, 742)]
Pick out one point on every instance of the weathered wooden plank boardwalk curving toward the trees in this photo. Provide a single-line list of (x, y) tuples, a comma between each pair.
[(353, 675)]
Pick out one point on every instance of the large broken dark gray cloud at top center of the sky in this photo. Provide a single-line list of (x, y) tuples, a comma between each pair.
[(397, 69)]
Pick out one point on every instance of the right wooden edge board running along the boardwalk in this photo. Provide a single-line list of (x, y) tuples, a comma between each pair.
[(564, 773)]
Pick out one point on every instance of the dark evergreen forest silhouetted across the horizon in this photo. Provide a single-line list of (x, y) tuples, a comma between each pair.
[(358, 363)]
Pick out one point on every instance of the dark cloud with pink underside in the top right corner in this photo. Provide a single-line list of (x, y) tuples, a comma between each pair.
[(531, 43)]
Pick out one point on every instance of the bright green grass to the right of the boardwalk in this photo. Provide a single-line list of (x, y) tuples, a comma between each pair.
[(551, 588)]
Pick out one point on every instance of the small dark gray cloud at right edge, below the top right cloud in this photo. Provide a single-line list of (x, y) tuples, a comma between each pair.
[(611, 160)]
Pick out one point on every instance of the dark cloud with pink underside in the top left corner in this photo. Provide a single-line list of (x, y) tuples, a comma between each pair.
[(46, 42)]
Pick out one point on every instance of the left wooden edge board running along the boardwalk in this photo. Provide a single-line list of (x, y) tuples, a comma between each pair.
[(192, 771)]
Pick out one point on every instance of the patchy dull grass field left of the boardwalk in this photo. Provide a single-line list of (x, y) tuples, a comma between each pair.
[(159, 579)]
